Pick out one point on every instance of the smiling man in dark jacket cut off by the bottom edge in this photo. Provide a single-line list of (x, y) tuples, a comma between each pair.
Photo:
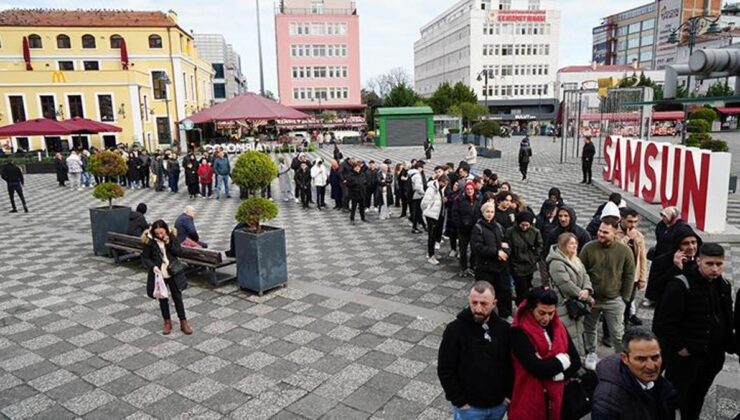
[(630, 386)]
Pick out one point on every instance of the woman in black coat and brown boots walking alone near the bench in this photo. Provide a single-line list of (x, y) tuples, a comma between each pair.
[(160, 253)]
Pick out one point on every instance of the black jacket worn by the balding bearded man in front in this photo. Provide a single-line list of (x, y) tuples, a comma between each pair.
[(472, 369)]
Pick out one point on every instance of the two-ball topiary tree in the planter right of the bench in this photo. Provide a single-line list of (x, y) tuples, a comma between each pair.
[(253, 171)]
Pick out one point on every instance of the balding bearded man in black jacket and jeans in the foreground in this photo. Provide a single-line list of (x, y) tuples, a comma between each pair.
[(474, 365)]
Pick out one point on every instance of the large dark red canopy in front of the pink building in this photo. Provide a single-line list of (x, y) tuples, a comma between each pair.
[(248, 106)]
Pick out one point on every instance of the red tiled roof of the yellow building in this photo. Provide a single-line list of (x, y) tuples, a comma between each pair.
[(85, 18)]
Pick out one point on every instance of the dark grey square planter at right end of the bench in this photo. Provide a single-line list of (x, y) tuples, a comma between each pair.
[(261, 259)]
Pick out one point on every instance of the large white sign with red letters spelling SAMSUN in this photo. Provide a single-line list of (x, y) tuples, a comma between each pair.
[(695, 180)]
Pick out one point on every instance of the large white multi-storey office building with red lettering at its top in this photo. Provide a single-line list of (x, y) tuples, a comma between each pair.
[(516, 41)]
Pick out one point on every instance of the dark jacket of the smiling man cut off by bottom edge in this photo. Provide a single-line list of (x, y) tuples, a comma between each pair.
[(619, 396)]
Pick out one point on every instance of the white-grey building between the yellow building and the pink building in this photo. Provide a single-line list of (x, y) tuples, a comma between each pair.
[(228, 80)]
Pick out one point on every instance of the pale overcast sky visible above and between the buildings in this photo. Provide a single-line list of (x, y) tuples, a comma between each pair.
[(388, 28)]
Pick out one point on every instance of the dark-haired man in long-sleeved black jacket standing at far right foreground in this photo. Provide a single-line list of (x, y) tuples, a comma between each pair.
[(694, 325)]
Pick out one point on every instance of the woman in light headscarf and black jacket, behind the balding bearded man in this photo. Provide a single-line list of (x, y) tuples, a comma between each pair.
[(491, 255)]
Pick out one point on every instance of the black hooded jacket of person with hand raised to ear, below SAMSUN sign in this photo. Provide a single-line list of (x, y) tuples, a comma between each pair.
[(663, 268)]
